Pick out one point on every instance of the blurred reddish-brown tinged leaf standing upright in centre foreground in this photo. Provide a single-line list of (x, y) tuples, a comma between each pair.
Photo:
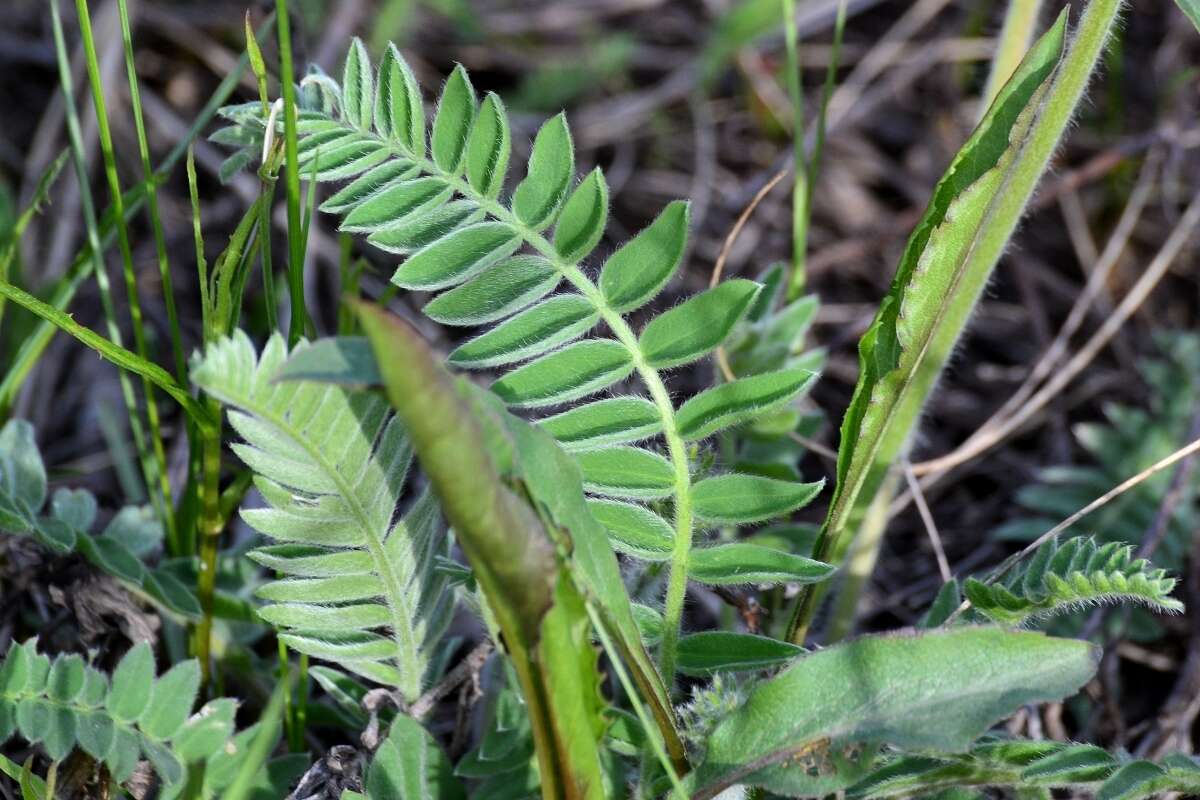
[(535, 600)]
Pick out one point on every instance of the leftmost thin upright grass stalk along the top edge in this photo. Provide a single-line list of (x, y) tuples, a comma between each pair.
[(87, 204)]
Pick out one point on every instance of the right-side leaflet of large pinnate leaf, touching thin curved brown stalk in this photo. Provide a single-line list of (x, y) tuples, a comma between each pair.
[(698, 326)]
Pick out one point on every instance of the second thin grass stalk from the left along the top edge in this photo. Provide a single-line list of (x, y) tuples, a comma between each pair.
[(160, 479)]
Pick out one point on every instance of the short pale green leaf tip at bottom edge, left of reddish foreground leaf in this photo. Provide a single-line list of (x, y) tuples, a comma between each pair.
[(411, 765)]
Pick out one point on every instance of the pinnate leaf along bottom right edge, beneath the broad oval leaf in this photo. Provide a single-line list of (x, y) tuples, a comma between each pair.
[(1033, 766)]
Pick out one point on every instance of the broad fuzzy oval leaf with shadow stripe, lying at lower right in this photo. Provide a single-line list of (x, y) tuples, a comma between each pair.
[(938, 690)]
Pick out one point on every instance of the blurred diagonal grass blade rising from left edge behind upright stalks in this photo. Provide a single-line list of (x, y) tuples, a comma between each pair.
[(34, 346)]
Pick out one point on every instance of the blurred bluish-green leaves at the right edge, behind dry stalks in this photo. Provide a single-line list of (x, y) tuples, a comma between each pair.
[(1132, 441)]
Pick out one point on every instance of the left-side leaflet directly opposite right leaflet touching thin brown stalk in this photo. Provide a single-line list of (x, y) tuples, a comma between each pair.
[(574, 372)]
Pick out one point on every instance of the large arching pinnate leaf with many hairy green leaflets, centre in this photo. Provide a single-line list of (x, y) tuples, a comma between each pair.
[(517, 266)]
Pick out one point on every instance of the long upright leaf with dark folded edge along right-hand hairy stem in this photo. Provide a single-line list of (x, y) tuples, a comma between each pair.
[(943, 272)]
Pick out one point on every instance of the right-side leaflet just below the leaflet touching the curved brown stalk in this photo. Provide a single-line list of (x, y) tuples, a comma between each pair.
[(741, 401)]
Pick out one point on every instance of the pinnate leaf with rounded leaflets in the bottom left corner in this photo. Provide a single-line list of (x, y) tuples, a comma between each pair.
[(65, 703)]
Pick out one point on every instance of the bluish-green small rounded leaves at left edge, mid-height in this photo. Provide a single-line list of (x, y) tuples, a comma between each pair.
[(118, 551)]
